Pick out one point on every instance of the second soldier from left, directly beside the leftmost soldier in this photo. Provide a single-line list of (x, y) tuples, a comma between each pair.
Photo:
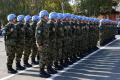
[(20, 41)]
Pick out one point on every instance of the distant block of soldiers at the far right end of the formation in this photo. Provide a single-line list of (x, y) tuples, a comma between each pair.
[(108, 30)]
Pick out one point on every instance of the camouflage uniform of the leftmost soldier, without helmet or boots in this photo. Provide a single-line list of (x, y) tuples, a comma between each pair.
[(10, 43)]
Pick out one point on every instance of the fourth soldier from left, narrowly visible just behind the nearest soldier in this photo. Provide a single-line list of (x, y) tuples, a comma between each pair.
[(34, 49)]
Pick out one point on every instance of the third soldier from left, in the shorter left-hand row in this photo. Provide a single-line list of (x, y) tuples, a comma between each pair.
[(28, 41)]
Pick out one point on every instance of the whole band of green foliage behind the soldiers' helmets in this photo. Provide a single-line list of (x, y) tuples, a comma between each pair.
[(32, 7)]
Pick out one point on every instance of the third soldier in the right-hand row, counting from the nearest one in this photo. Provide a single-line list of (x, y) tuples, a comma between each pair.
[(60, 39)]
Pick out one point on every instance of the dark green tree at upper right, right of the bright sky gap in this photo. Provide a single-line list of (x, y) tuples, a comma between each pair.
[(94, 7)]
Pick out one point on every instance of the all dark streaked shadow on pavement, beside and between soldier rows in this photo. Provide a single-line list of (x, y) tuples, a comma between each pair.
[(104, 65)]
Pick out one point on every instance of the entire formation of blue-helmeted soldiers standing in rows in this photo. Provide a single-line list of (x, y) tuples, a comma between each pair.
[(56, 39)]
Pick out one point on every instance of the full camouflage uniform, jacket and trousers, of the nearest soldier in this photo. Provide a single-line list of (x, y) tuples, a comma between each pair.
[(42, 38)]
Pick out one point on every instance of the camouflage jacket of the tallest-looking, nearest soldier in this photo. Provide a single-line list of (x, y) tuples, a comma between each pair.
[(41, 33)]
